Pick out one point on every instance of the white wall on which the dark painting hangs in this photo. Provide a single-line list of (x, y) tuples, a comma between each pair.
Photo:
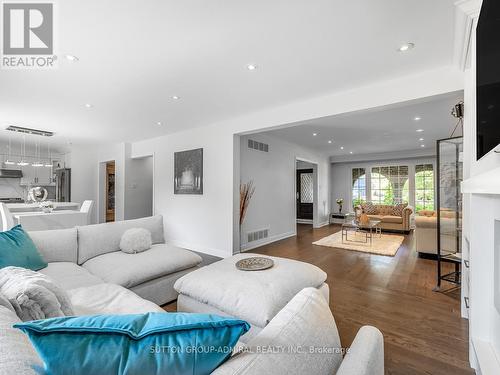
[(198, 222)]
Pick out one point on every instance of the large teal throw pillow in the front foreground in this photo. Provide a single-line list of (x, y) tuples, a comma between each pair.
[(149, 344)]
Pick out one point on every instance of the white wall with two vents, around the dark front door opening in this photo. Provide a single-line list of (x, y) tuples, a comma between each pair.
[(273, 205)]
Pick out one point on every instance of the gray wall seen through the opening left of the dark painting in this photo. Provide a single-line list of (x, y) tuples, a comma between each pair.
[(139, 188)]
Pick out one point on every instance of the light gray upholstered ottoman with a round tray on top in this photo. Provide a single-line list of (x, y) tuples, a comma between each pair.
[(255, 296)]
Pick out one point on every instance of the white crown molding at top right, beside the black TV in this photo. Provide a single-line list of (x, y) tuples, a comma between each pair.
[(466, 15)]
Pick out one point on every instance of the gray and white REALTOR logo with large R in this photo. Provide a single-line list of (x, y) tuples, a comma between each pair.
[(28, 35)]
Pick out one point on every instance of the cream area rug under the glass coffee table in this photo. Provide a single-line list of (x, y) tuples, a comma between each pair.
[(387, 244)]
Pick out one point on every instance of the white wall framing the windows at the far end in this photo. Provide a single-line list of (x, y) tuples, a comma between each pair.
[(341, 176)]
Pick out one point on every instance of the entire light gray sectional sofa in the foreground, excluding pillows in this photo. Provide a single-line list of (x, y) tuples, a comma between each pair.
[(99, 279)]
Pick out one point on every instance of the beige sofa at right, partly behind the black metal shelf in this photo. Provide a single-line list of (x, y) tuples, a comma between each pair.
[(426, 231)]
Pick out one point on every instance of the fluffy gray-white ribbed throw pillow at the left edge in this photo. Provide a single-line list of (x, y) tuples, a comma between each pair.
[(33, 295)]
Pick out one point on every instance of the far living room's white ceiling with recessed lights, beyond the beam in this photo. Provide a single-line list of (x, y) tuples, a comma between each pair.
[(381, 130)]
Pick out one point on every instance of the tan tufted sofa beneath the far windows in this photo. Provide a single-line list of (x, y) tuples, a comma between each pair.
[(390, 221)]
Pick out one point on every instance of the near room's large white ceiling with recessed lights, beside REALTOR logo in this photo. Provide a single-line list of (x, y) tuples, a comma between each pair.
[(135, 55)]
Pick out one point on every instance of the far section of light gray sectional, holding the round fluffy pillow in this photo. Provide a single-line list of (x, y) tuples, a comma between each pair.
[(90, 255)]
